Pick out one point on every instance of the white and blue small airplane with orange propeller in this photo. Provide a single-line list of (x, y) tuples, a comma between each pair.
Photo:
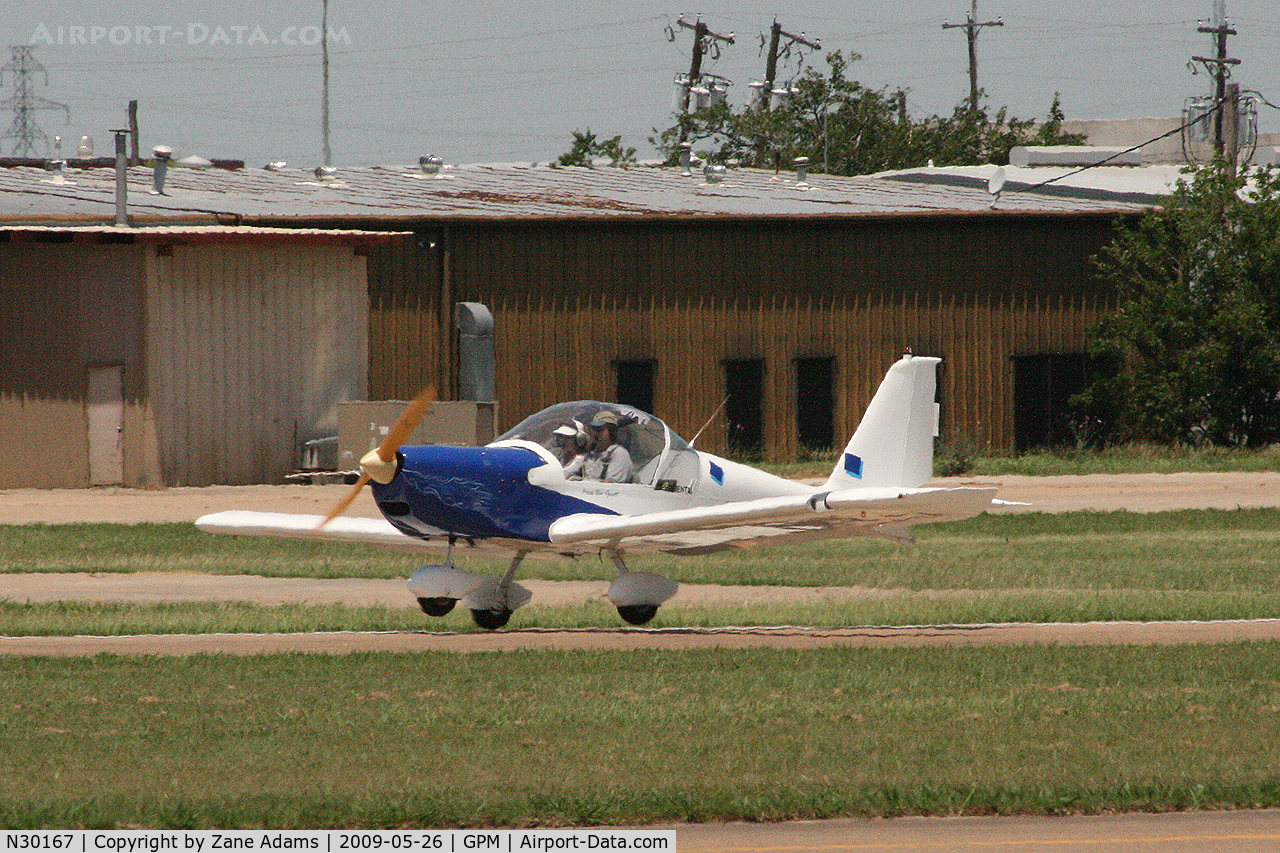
[(598, 478)]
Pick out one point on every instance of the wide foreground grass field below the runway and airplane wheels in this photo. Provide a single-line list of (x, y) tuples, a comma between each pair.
[(582, 738)]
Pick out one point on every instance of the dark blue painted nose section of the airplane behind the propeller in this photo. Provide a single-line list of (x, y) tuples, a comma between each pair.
[(476, 492)]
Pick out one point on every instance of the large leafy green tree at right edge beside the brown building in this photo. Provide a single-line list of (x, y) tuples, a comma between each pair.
[(1197, 327)]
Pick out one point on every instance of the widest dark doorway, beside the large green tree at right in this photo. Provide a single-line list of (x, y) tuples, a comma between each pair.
[(1044, 386)]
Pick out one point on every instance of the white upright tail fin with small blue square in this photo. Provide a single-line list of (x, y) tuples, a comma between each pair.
[(894, 445)]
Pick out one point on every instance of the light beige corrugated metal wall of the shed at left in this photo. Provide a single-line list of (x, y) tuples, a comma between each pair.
[(253, 348)]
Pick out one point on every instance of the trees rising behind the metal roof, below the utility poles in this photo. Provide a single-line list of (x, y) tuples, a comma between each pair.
[(847, 129)]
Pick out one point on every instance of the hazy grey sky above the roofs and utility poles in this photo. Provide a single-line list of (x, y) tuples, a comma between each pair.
[(477, 83)]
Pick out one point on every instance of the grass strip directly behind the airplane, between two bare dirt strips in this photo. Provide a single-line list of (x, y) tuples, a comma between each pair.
[(1192, 550)]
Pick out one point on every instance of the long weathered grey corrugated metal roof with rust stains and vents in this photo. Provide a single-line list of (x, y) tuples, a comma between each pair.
[(510, 191)]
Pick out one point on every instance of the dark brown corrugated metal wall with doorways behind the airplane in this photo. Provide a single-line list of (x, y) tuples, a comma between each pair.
[(570, 298)]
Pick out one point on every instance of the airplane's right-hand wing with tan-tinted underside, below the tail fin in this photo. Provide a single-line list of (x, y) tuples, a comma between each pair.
[(822, 516)]
